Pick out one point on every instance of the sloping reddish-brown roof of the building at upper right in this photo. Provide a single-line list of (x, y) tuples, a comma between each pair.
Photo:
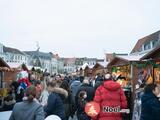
[(153, 36)]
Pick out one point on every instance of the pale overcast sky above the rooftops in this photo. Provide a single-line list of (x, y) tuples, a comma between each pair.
[(77, 28)]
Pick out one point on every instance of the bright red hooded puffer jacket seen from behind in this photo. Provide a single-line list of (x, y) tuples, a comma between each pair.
[(110, 97)]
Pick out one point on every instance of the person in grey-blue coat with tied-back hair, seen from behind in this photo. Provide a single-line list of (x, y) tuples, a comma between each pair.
[(29, 109)]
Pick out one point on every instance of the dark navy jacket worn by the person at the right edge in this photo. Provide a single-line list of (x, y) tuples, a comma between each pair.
[(150, 107)]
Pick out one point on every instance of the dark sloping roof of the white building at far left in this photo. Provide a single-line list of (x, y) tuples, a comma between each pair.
[(12, 50)]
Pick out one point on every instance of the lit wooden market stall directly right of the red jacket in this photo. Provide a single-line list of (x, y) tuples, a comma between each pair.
[(125, 71)]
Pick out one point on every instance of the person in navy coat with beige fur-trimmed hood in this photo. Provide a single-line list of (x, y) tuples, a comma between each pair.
[(55, 103)]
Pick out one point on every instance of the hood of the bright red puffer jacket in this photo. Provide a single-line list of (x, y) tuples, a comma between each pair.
[(111, 85)]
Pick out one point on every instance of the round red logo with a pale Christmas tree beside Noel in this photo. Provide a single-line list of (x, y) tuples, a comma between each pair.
[(92, 109)]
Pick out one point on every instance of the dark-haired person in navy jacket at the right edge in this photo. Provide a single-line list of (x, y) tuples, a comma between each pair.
[(150, 103)]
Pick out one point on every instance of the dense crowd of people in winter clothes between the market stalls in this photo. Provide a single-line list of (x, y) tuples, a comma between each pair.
[(66, 96)]
